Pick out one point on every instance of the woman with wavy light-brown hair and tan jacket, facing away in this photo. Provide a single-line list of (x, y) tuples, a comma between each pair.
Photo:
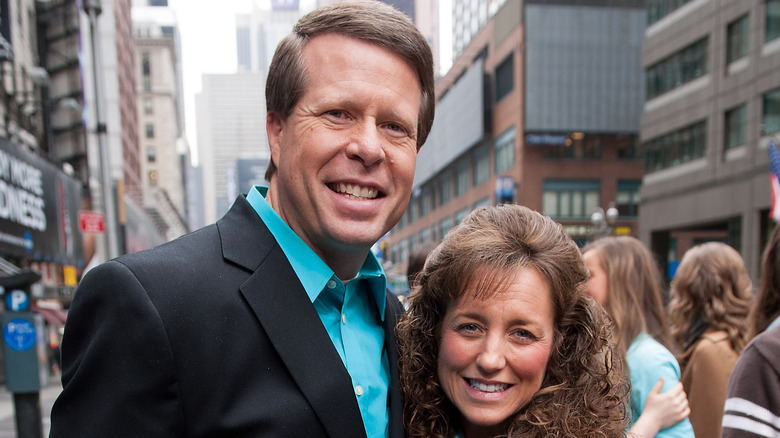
[(711, 294)]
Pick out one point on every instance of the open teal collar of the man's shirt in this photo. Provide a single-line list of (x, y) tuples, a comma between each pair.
[(312, 271)]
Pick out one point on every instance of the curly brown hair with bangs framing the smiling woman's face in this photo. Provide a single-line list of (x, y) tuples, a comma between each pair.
[(584, 392)]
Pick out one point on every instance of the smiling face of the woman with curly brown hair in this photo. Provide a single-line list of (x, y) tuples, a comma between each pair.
[(493, 353)]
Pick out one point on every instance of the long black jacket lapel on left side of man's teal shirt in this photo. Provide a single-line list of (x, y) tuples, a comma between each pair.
[(290, 321)]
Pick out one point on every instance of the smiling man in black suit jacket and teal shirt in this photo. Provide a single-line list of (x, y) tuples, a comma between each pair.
[(275, 321)]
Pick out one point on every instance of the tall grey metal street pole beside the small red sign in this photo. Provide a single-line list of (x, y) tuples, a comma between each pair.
[(93, 9)]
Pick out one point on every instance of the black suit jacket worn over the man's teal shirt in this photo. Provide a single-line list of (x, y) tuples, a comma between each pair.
[(211, 335)]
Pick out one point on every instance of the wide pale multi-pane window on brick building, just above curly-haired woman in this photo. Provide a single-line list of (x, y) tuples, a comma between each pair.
[(570, 199)]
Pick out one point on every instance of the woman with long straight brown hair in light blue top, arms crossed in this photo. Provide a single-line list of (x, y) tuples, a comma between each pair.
[(625, 279)]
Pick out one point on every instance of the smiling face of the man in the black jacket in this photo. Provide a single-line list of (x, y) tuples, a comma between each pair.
[(346, 155)]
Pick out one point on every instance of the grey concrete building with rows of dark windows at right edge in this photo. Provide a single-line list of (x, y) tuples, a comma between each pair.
[(713, 93)]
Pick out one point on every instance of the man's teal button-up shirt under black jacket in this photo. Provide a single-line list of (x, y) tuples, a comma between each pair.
[(351, 312)]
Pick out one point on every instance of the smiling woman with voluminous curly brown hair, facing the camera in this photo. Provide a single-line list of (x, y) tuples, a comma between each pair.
[(500, 339)]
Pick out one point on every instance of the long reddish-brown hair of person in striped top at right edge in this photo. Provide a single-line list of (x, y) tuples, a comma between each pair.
[(765, 312)]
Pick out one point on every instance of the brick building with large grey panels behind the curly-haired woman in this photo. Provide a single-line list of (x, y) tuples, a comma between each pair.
[(541, 108)]
